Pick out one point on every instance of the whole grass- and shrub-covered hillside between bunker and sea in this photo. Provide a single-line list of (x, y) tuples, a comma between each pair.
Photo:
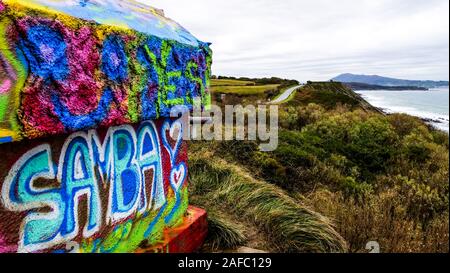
[(342, 170)]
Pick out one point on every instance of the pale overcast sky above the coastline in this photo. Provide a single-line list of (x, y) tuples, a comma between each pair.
[(319, 39)]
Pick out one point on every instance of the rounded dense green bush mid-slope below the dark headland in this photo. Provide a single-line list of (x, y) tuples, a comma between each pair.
[(367, 142)]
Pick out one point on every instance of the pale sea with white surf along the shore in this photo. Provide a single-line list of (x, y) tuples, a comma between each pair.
[(432, 105)]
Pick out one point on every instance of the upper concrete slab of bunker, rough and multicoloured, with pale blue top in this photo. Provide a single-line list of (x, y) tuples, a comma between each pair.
[(73, 65)]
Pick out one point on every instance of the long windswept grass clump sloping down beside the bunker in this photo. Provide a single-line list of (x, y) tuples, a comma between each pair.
[(288, 225)]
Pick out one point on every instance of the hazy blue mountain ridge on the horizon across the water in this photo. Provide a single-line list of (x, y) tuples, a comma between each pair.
[(384, 81)]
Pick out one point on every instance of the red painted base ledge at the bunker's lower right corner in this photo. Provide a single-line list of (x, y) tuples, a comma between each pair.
[(186, 238)]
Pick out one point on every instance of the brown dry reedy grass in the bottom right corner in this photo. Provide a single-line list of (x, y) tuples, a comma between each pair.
[(381, 218)]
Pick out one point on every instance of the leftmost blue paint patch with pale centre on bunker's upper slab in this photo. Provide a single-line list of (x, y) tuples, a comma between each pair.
[(45, 50)]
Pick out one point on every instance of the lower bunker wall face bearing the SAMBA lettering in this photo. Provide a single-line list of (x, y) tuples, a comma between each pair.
[(97, 181)]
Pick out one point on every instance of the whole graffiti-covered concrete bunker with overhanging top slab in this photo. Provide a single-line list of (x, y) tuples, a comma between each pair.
[(90, 160)]
